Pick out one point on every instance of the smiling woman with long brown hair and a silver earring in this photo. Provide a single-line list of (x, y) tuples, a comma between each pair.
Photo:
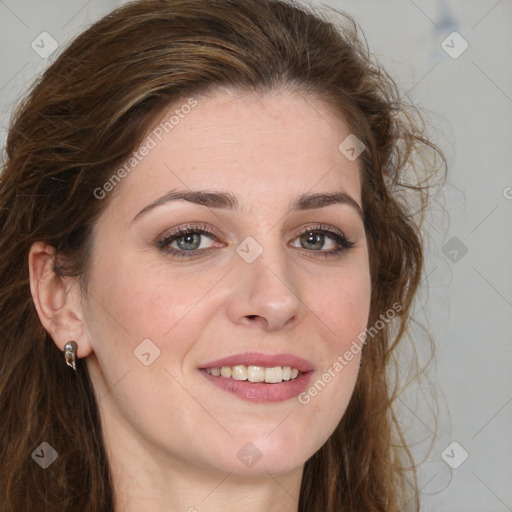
[(207, 268)]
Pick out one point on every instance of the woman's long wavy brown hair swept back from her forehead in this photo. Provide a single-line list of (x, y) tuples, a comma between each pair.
[(84, 117)]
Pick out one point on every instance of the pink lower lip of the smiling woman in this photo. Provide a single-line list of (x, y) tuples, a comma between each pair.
[(262, 392)]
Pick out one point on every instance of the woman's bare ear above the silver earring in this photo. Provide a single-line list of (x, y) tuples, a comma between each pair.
[(58, 300)]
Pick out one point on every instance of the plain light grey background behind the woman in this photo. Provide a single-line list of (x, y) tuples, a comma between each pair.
[(467, 298)]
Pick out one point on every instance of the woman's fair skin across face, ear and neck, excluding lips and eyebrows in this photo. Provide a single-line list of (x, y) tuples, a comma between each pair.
[(171, 436)]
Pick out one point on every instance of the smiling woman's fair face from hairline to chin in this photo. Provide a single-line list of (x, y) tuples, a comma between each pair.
[(259, 274)]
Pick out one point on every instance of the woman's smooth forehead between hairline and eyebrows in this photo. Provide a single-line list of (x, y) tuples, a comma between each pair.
[(265, 148)]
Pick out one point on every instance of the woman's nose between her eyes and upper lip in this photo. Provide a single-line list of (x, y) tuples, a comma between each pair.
[(265, 293)]
